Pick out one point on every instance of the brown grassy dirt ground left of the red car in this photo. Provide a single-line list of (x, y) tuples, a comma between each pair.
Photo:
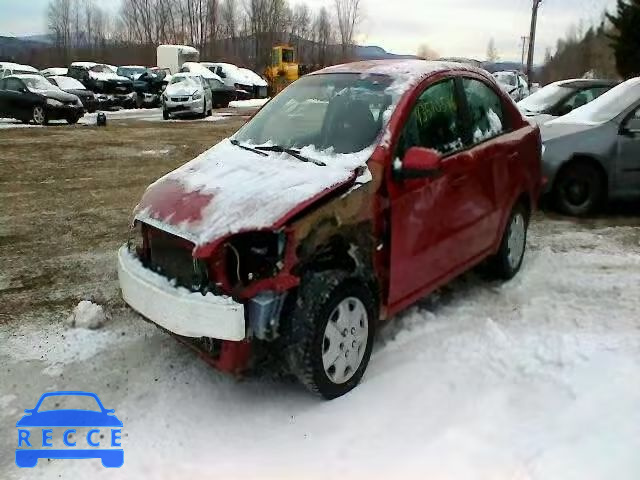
[(67, 194)]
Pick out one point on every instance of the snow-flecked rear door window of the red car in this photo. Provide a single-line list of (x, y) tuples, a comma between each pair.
[(486, 115)]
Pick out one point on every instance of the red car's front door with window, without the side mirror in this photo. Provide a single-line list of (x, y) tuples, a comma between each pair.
[(425, 249)]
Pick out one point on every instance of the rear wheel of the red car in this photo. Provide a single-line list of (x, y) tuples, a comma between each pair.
[(507, 262)]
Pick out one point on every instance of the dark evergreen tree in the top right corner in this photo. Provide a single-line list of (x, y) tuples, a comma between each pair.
[(626, 37)]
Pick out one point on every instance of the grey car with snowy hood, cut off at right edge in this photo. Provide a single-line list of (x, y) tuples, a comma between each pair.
[(592, 154)]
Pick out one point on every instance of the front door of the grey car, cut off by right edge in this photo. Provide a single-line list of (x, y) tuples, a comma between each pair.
[(627, 163)]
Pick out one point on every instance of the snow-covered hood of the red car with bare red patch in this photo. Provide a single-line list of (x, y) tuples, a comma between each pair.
[(227, 190)]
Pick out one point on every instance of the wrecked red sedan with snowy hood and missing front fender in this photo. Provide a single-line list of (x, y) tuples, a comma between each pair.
[(356, 191)]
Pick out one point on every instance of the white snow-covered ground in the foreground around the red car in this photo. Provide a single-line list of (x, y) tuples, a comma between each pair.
[(534, 379)]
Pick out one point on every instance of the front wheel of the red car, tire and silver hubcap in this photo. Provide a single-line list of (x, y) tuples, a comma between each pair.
[(348, 304)]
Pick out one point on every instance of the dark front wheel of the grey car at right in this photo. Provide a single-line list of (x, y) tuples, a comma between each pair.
[(579, 189)]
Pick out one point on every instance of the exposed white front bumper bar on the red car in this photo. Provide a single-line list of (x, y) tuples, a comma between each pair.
[(175, 308)]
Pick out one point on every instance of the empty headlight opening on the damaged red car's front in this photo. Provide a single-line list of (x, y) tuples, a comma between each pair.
[(254, 256)]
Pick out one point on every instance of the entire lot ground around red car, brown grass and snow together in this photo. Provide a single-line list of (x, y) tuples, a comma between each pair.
[(535, 379)]
